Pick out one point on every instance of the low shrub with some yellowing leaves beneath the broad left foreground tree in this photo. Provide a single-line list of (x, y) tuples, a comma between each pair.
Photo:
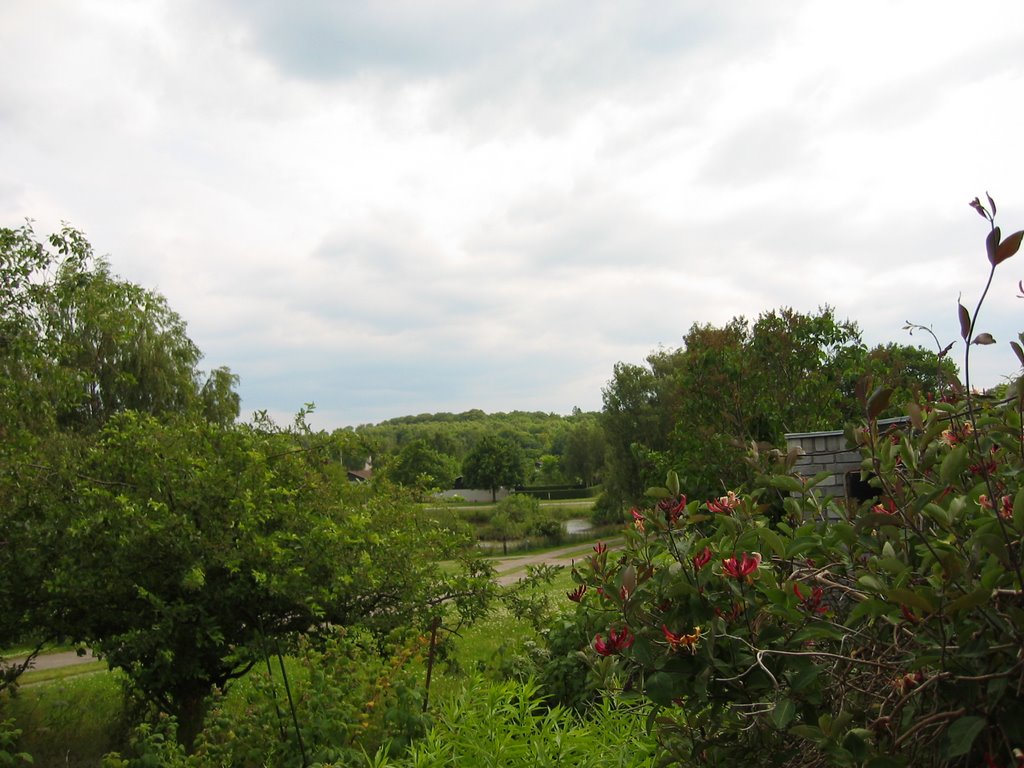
[(350, 702)]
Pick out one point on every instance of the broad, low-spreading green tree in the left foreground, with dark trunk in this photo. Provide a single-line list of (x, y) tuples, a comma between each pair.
[(190, 547)]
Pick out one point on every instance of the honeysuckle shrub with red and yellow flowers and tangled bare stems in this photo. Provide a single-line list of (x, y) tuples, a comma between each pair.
[(885, 634)]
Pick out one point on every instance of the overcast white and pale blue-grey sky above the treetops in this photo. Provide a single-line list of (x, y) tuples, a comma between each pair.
[(394, 208)]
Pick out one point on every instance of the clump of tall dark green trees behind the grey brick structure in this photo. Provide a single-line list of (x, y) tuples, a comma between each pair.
[(699, 408)]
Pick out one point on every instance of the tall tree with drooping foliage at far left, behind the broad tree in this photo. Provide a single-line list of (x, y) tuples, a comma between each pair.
[(78, 345)]
